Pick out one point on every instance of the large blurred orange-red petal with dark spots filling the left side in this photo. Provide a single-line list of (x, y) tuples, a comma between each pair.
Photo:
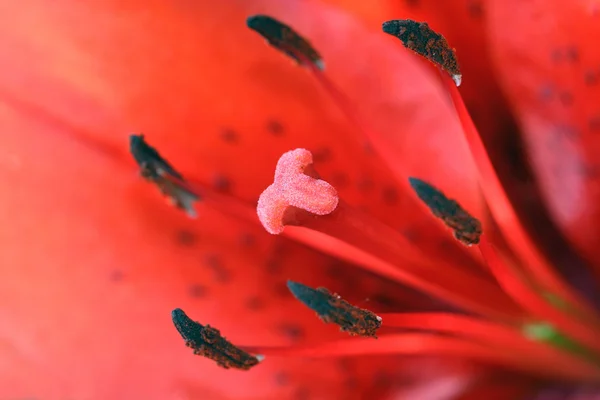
[(93, 262)]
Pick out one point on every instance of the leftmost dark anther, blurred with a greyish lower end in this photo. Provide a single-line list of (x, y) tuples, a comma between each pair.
[(157, 170)]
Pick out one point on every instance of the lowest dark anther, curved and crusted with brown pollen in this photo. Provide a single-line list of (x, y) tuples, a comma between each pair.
[(207, 341)]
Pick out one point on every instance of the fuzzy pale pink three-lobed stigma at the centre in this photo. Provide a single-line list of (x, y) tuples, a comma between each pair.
[(296, 187)]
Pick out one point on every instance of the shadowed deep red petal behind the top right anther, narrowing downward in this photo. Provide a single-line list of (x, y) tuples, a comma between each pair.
[(462, 22)]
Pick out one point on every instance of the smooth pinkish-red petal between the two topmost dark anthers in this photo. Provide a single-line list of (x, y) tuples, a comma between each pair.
[(409, 112)]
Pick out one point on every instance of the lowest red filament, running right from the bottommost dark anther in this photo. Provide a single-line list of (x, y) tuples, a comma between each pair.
[(429, 344)]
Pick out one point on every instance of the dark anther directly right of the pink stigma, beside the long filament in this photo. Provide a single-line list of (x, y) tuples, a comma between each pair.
[(467, 229)]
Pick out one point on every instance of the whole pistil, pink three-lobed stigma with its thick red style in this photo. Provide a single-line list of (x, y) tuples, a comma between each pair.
[(356, 237)]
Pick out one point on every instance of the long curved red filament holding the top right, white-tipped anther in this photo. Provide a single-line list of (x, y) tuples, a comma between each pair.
[(506, 216)]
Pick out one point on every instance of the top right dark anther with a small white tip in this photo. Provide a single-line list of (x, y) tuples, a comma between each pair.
[(420, 38)]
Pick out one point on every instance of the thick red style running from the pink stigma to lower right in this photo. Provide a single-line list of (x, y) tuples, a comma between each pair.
[(348, 234)]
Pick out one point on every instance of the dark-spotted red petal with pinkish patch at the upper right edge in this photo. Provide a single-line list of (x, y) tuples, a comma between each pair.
[(549, 67)]
